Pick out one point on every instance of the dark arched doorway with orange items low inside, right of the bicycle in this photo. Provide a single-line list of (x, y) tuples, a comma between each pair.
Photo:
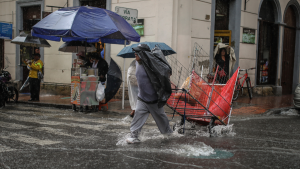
[(267, 45)]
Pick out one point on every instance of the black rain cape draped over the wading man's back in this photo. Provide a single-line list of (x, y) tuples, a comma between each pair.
[(159, 72)]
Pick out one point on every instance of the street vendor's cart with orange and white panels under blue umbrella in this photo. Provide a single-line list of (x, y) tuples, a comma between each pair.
[(83, 88)]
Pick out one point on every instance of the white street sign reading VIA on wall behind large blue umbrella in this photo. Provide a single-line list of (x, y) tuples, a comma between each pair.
[(130, 15)]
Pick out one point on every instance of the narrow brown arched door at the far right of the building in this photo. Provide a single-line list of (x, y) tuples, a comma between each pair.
[(288, 51)]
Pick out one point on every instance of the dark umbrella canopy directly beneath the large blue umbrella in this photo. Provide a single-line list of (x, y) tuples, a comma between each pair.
[(76, 46)]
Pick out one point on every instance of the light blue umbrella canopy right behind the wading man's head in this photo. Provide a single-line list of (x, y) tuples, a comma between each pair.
[(127, 52)]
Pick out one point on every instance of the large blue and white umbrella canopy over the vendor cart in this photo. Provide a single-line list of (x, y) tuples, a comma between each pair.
[(85, 23)]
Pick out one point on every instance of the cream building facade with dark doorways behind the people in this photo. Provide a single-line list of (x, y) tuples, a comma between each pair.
[(263, 33)]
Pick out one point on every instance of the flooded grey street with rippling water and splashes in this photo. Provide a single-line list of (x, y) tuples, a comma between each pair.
[(38, 137)]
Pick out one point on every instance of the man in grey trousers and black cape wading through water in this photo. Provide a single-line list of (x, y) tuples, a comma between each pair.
[(153, 77)]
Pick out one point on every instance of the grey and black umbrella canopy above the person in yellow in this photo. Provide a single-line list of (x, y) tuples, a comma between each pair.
[(28, 40)]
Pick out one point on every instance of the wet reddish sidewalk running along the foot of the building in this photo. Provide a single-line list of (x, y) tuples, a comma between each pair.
[(242, 106)]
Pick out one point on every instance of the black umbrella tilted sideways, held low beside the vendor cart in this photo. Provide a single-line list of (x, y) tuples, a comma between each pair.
[(114, 80)]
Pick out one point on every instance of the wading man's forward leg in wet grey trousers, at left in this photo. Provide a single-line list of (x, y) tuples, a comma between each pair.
[(139, 119)]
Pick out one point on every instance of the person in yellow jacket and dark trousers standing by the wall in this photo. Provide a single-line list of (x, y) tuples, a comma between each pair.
[(35, 66)]
